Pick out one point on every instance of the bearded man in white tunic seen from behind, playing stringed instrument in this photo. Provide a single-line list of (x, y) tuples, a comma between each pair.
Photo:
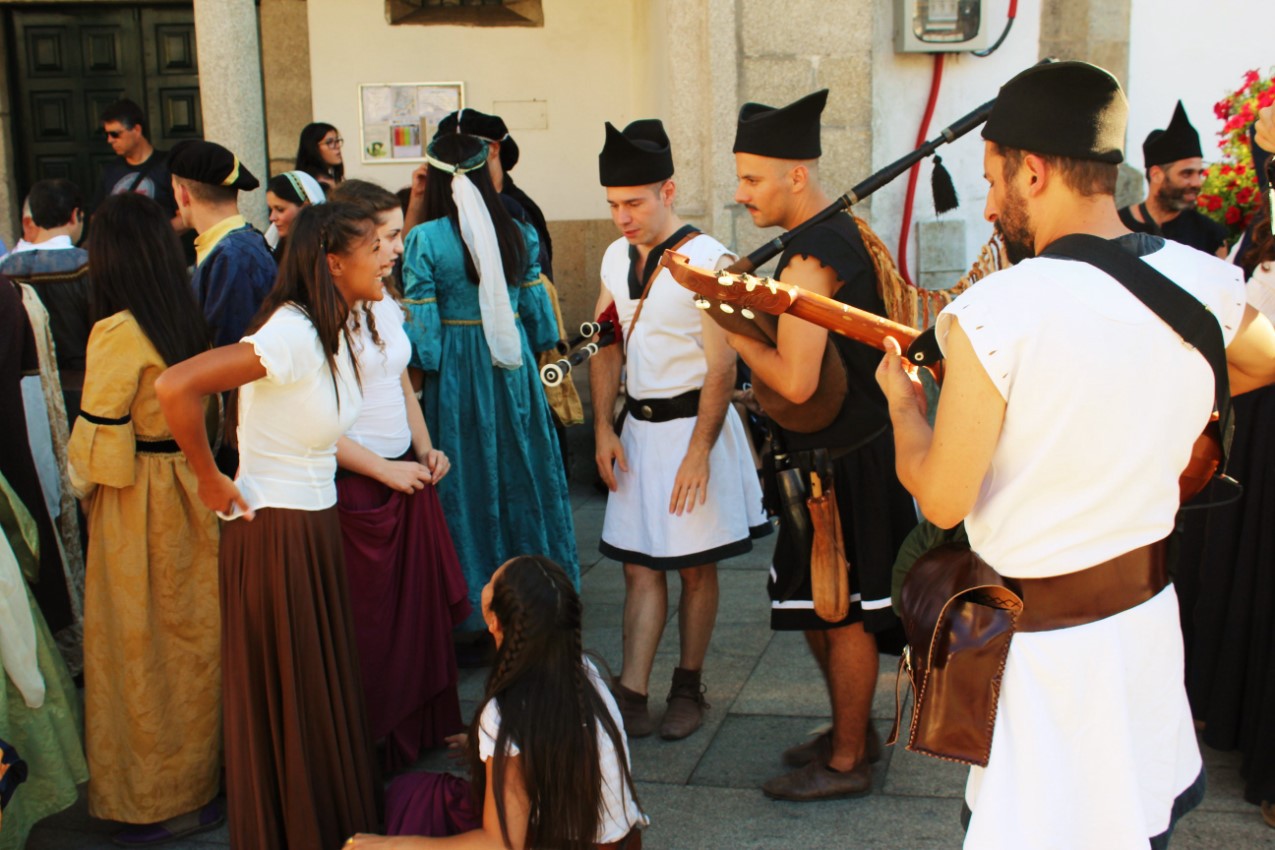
[(1068, 414)]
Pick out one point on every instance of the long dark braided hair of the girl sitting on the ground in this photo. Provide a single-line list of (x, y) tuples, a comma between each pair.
[(550, 709)]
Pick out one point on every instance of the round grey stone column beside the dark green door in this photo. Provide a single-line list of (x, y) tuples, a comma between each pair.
[(230, 90)]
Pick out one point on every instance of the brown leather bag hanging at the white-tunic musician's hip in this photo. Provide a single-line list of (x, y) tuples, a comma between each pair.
[(959, 619)]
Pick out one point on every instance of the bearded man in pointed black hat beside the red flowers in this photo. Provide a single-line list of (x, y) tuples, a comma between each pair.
[(1175, 173)]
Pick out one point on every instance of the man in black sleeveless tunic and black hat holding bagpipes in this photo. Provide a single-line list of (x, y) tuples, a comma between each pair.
[(777, 160)]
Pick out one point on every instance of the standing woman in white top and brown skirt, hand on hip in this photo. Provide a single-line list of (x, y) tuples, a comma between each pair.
[(299, 769)]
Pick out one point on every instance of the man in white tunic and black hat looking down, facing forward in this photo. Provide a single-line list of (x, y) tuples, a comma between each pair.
[(684, 490)]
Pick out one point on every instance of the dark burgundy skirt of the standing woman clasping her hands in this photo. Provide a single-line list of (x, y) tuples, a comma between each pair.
[(407, 593)]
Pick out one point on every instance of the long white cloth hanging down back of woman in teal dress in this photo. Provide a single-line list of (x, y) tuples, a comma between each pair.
[(494, 305)]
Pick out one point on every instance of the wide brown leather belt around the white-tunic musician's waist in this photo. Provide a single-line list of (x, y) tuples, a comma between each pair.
[(1093, 594)]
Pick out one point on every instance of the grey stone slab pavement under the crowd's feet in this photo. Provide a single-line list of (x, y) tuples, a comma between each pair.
[(766, 691)]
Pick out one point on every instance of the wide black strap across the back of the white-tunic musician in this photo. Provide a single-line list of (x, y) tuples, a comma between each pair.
[(1177, 308)]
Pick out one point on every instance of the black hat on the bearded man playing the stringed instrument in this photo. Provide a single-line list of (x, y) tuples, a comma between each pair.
[(1070, 109)]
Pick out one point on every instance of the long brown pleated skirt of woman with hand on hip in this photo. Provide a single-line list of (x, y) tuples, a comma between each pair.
[(299, 755)]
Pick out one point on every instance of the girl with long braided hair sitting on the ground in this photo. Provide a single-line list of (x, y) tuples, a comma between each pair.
[(550, 756)]
